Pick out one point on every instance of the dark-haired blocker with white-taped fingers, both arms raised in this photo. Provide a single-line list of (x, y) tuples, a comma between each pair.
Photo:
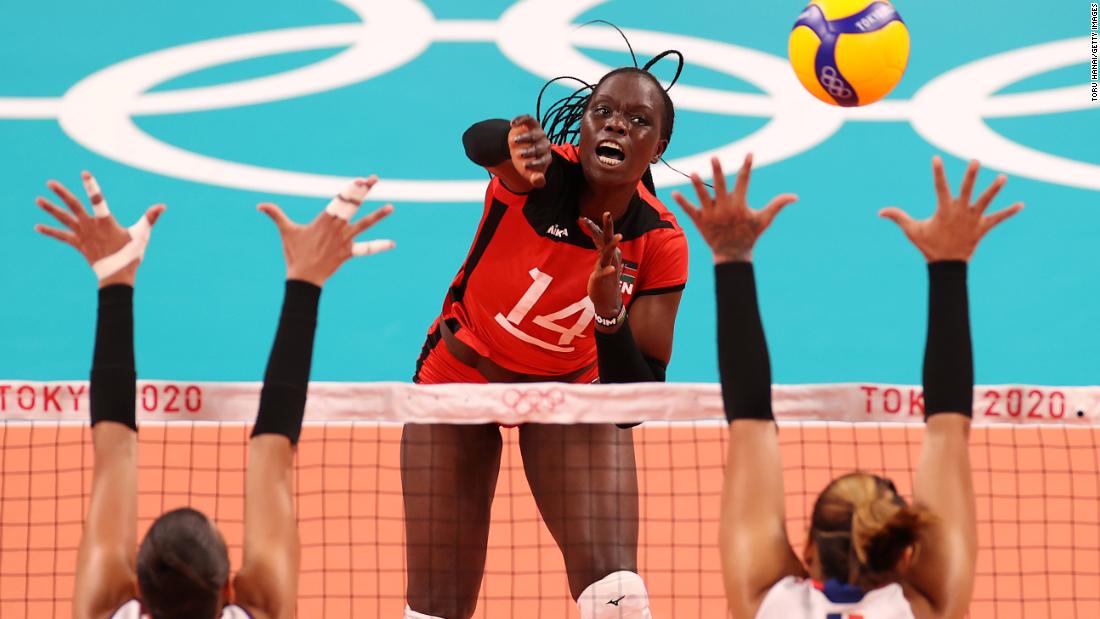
[(182, 568)]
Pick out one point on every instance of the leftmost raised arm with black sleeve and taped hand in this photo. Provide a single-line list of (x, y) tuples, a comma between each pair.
[(105, 573)]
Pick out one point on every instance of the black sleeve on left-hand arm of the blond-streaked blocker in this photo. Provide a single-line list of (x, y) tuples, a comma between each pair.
[(743, 351)]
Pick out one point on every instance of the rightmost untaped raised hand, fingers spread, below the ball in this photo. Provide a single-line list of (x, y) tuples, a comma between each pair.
[(953, 233)]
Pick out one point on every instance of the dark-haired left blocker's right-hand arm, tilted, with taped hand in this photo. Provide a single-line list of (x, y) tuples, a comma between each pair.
[(268, 583)]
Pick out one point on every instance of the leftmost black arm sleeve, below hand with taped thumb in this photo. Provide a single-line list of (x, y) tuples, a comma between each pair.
[(114, 392)]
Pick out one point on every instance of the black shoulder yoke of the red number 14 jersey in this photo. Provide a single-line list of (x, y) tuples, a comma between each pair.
[(553, 211)]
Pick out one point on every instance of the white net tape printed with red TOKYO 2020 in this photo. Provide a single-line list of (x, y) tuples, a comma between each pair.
[(399, 403)]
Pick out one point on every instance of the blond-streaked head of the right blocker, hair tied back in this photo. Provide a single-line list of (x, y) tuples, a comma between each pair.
[(863, 533)]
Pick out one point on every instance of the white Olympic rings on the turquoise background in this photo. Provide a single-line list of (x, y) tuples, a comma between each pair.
[(949, 113)]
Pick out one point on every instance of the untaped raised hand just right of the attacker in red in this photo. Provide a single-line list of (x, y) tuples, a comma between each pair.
[(727, 223)]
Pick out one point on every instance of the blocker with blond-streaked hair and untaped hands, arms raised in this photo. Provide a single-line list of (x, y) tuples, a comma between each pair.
[(870, 554)]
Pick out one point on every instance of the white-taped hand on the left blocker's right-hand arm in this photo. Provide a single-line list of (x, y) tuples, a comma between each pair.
[(315, 251)]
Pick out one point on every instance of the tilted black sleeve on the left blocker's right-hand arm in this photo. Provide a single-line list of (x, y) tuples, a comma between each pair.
[(287, 381)]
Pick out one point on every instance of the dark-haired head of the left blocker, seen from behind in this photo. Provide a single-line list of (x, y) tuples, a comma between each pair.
[(183, 568)]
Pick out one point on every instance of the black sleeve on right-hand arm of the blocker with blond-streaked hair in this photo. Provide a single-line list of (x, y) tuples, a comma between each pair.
[(949, 360)]
